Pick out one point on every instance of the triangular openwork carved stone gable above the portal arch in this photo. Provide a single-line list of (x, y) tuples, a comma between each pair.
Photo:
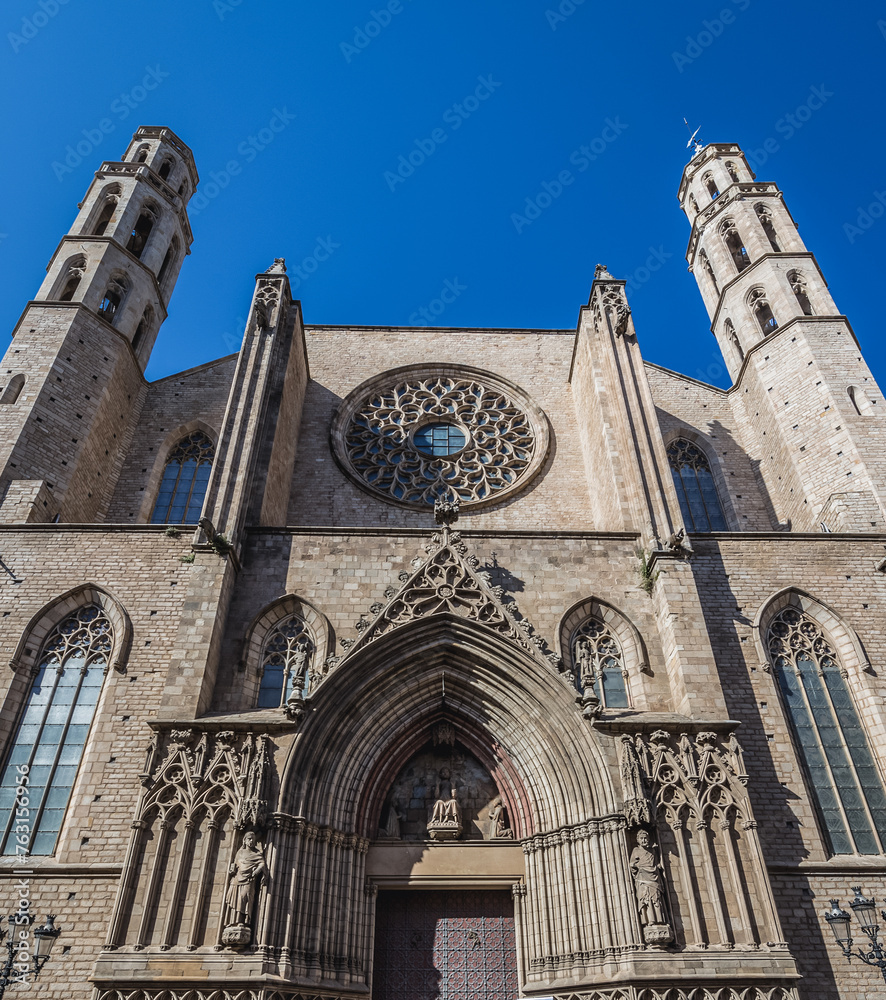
[(449, 582)]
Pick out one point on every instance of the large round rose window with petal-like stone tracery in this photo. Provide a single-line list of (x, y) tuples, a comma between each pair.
[(418, 434)]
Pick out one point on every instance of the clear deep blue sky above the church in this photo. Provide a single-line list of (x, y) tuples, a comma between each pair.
[(494, 100)]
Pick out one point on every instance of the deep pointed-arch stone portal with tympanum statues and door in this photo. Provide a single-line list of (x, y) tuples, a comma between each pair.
[(449, 695)]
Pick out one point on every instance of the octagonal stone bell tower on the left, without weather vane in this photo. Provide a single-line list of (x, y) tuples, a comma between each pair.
[(74, 371)]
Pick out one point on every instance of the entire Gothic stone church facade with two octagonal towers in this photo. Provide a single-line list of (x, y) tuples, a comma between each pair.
[(342, 668)]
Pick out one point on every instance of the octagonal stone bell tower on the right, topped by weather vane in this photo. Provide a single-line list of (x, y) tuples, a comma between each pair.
[(815, 417)]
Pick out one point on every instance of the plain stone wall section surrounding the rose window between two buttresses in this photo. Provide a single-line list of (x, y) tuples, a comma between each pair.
[(340, 359)]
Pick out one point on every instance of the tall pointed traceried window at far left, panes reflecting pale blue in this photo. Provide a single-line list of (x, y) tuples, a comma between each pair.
[(47, 747)]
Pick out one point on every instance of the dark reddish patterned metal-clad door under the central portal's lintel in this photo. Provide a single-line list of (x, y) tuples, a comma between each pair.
[(452, 945)]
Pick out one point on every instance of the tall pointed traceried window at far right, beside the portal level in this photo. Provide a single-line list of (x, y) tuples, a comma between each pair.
[(845, 781)]
